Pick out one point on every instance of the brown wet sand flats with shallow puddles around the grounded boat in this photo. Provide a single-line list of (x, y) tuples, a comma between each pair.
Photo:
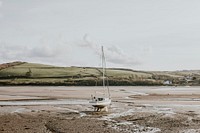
[(66, 110)]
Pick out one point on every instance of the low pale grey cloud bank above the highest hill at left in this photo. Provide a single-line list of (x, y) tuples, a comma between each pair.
[(44, 52)]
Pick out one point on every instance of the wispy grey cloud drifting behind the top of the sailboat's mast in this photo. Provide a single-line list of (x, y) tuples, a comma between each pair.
[(114, 54)]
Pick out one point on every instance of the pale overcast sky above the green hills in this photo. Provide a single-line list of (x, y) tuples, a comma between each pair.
[(137, 34)]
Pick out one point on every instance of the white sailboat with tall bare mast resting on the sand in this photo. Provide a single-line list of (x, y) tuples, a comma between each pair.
[(102, 101)]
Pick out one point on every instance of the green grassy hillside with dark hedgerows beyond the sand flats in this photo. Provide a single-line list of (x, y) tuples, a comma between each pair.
[(22, 73)]
